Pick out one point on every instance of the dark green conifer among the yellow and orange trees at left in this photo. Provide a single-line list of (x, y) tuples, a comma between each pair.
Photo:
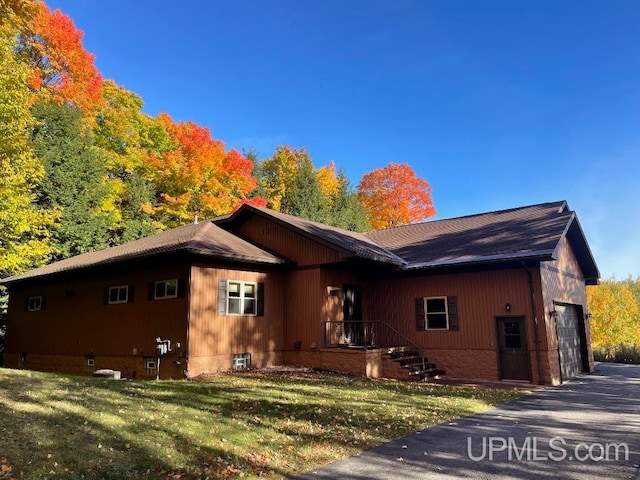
[(75, 181)]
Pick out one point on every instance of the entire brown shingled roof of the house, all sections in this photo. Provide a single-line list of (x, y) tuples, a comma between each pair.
[(528, 233)]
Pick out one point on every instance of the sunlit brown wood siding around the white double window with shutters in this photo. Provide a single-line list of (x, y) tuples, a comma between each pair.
[(211, 334)]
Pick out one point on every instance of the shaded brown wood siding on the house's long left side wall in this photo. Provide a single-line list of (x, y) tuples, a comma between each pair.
[(75, 320)]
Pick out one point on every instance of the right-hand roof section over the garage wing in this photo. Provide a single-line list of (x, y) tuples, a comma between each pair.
[(531, 232)]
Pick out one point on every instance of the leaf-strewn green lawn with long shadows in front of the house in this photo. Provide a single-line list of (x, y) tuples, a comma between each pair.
[(247, 425)]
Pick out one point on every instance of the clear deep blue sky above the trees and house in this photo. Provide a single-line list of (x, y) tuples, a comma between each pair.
[(497, 104)]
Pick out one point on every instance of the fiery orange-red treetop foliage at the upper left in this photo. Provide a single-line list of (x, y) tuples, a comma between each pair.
[(62, 67)]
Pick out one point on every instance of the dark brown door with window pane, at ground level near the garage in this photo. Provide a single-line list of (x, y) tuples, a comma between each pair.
[(512, 346)]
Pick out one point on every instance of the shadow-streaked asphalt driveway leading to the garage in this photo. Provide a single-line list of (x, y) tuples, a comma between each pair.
[(588, 428)]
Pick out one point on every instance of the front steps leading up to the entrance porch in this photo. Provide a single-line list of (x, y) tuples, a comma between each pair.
[(407, 363)]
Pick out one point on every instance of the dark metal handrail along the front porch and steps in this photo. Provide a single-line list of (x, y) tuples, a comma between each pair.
[(362, 333)]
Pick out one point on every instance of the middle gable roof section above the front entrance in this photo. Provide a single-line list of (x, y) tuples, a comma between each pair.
[(359, 244)]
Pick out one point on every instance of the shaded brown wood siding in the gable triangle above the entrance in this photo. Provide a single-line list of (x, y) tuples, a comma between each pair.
[(286, 243)]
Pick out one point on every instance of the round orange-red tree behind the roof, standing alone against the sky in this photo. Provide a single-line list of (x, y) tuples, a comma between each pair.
[(394, 195)]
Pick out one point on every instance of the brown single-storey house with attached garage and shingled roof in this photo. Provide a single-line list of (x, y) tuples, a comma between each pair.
[(499, 295)]
